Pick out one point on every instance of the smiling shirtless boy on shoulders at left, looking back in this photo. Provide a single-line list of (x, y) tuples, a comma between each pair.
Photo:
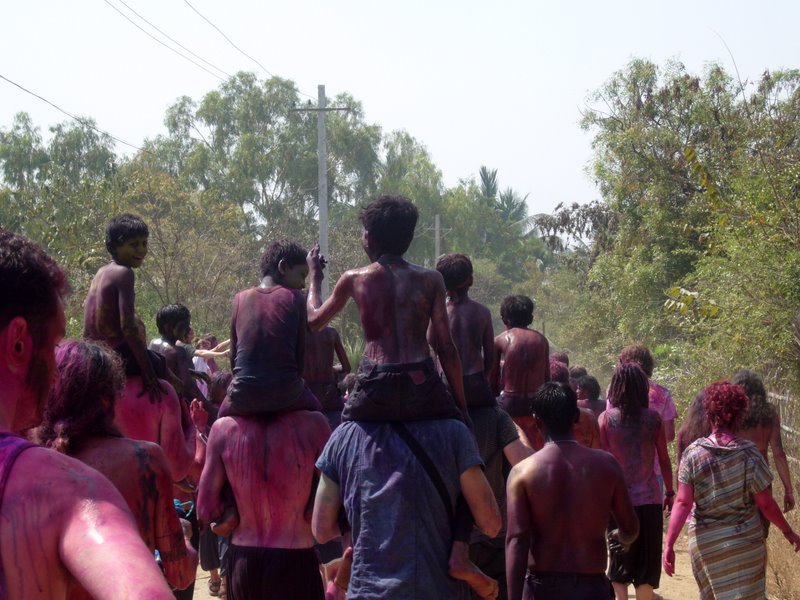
[(109, 314)]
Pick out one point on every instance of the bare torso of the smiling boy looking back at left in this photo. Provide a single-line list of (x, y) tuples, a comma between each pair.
[(110, 296)]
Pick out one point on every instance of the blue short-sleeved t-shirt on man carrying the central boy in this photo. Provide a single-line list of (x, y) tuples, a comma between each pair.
[(401, 533)]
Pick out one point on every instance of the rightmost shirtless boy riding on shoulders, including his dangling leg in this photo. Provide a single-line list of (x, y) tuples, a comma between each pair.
[(525, 366)]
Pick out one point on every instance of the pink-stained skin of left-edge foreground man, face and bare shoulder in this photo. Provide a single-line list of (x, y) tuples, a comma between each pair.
[(66, 526)]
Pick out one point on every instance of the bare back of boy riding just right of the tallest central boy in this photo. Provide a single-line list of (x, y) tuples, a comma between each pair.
[(471, 328)]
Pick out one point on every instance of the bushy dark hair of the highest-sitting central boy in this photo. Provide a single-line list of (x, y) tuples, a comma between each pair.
[(390, 222)]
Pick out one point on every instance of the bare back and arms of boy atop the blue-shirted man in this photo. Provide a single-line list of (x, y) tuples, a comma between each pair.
[(396, 301)]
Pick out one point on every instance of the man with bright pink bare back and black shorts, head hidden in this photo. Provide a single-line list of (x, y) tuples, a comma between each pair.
[(269, 463)]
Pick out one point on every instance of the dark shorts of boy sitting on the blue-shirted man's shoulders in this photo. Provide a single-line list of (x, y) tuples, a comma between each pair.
[(399, 392)]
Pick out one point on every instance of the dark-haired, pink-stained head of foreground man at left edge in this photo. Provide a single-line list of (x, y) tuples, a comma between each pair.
[(33, 289)]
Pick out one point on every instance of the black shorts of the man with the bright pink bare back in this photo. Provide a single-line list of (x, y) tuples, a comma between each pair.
[(273, 574)]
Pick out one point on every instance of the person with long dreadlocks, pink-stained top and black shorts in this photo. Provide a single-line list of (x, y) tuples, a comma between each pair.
[(633, 433)]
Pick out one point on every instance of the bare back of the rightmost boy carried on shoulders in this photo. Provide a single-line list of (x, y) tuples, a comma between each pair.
[(526, 360)]
